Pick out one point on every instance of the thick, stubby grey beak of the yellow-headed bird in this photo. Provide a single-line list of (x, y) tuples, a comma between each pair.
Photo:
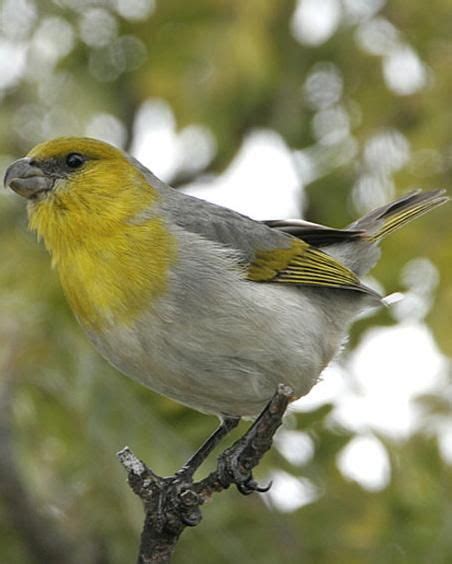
[(27, 179)]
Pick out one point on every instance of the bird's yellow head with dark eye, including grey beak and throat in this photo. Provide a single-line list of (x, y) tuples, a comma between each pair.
[(77, 184)]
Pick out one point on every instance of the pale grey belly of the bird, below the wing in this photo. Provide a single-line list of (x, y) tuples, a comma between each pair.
[(226, 352)]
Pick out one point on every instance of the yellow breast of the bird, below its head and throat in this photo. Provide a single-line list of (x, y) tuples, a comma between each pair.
[(113, 281)]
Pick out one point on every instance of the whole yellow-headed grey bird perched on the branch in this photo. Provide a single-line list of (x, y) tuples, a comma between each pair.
[(193, 300)]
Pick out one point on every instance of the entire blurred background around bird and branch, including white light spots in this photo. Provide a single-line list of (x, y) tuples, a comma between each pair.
[(312, 108)]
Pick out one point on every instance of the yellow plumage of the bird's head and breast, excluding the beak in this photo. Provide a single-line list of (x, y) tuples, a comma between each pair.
[(111, 262)]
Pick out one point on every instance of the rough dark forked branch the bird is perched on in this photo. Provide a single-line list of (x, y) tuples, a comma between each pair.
[(173, 503)]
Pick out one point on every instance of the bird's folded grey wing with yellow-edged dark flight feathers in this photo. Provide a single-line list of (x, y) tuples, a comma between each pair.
[(269, 253)]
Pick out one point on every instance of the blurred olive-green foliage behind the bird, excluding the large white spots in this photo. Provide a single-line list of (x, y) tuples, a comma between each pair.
[(232, 66)]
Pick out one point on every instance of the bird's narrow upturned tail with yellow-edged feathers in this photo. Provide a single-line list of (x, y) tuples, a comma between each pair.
[(383, 221)]
